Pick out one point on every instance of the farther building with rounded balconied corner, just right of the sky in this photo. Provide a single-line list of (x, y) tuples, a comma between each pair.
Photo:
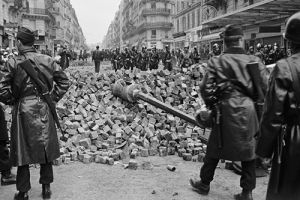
[(143, 23)]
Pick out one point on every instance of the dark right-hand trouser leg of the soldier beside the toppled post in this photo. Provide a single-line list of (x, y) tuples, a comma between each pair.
[(248, 178)]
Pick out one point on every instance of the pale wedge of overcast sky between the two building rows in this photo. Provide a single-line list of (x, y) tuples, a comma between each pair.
[(94, 17)]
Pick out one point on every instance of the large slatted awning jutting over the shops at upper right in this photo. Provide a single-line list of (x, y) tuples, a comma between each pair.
[(257, 13)]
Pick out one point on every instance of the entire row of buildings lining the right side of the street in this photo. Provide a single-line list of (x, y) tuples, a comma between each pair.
[(199, 23)]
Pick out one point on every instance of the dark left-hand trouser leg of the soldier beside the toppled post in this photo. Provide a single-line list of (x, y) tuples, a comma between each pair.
[(208, 170)]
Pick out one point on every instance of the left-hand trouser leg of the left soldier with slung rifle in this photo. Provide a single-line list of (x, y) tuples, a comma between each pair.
[(23, 178)]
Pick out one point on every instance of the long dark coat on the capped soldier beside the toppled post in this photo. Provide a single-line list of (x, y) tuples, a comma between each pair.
[(228, 82)]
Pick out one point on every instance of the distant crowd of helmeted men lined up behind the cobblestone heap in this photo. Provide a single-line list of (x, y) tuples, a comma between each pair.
[(149, 59)]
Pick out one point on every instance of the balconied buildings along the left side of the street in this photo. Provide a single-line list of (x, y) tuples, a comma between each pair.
[(54, 21)]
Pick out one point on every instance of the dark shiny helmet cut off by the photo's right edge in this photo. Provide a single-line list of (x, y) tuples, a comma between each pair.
[(292, 30)]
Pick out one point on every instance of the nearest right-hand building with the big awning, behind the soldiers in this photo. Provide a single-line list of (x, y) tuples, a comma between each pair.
[(199, 23)]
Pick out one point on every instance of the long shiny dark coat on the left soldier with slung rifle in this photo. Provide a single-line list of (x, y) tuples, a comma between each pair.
[(33, 133)]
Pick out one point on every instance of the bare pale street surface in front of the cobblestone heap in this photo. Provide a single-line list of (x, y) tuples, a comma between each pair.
[(79, 181)]
